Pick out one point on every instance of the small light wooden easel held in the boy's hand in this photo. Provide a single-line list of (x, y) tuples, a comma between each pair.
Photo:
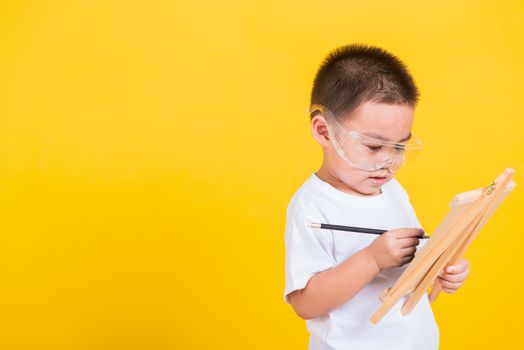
[(469, 213)]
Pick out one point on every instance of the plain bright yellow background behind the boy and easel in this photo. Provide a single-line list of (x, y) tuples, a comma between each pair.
[(148, 151)]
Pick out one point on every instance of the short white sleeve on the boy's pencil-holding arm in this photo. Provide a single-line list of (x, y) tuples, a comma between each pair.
[(308, 250)]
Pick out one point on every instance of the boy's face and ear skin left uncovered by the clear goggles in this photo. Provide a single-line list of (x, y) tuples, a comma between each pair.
[(391, 122)]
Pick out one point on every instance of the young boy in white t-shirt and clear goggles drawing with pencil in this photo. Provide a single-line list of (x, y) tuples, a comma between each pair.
[(362, 108)]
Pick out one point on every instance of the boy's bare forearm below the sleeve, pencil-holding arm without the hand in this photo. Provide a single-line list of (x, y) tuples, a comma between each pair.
[(329, 289)]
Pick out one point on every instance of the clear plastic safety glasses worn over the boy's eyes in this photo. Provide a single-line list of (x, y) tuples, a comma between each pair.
[(365, 152)]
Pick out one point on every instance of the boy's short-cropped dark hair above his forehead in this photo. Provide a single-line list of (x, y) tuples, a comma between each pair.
[(356, 73)]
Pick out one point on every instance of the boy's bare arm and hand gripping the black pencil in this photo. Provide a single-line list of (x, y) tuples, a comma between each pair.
[(328, 289)]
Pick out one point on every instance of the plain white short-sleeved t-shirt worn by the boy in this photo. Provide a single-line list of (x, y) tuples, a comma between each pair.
[(311, 250)]
